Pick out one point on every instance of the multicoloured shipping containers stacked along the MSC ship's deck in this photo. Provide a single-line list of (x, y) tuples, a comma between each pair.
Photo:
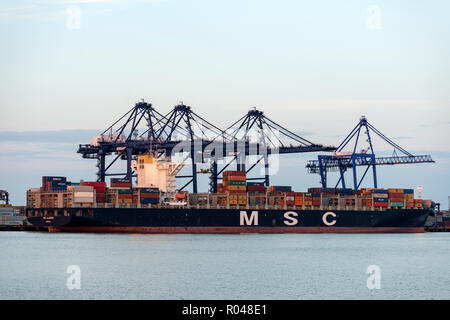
[(57, 192)]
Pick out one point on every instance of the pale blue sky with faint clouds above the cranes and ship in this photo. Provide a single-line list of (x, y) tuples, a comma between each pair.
[(313, 66)]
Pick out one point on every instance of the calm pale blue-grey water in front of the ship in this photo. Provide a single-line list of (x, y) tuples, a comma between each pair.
[(33, 265)]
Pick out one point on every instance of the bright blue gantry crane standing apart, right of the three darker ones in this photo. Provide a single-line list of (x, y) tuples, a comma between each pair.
[(342, 161)]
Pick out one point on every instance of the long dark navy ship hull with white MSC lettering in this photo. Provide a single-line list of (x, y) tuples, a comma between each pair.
[(230, 221)]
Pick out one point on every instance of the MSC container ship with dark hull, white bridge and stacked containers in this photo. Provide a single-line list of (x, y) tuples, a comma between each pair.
[(154, 205)]
